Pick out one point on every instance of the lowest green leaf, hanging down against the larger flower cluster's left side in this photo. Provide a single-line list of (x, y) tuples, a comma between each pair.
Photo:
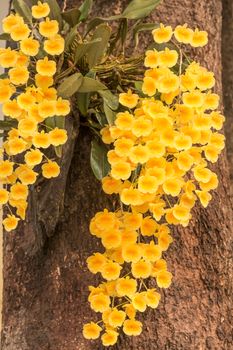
[(99, 161)]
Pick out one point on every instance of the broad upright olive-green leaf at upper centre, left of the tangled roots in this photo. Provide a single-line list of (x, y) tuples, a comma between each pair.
[(97, 51)]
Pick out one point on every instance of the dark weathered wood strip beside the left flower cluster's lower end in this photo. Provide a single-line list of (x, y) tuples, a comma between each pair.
[(46, 202)]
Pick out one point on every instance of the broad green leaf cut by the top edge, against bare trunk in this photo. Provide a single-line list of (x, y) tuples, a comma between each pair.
[(140, 9)]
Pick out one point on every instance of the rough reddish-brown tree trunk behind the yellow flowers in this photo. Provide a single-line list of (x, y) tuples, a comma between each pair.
[(46, 279)]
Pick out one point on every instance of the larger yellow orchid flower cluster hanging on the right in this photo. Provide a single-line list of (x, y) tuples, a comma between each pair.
[(162, 143)]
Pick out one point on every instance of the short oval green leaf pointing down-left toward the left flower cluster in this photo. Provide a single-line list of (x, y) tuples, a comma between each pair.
[(70, 85)]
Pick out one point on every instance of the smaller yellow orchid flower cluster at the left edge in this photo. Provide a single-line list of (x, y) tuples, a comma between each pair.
[(29, 97)]
